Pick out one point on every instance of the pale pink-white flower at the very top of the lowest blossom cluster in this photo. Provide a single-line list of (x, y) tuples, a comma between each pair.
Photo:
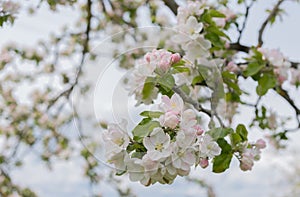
[(175, 104)]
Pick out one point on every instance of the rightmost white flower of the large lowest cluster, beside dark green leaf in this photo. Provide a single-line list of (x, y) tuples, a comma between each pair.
[(208, 147)]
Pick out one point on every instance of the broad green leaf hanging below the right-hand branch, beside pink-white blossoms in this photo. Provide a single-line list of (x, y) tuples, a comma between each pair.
[(266, 82)]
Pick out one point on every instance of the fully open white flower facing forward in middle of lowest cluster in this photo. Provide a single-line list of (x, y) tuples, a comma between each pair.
[(157, 144)]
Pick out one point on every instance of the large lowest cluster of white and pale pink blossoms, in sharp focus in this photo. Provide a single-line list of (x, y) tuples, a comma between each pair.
[(170, 149)]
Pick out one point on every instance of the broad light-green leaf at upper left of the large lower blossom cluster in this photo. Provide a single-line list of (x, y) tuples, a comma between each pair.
[(144, 128)]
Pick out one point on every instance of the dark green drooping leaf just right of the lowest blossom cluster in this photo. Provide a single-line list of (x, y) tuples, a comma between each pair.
[(222, 161)]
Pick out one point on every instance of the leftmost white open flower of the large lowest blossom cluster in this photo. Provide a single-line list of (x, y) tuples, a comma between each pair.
[(116, 139)]
